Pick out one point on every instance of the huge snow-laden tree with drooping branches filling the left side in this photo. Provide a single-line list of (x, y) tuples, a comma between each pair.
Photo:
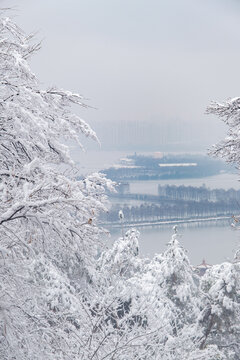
[(48, 219)]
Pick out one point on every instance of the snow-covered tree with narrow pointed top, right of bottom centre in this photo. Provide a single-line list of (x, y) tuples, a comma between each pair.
[(175, 293)]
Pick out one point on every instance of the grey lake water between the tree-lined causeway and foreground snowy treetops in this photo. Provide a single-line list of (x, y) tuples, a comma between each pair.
[(213, 243)]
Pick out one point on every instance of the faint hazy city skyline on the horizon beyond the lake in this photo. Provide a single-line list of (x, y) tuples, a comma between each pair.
[(174, 136)]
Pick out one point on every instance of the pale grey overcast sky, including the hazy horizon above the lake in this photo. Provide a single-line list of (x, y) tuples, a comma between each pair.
[(156, 64)]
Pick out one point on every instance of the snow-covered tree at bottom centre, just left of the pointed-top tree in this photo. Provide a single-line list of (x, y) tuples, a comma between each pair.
[(118, 310)]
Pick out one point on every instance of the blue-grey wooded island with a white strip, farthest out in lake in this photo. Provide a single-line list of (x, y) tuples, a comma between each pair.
[(160, 166)]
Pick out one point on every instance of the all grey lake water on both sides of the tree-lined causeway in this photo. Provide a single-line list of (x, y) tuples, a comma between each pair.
[(215, 242)]
